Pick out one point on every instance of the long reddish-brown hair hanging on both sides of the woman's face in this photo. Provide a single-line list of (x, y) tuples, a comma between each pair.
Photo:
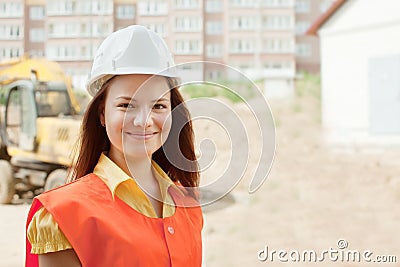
[(94, 140)]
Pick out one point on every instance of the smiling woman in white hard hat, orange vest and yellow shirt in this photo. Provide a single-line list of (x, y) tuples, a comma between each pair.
[(130, 201)]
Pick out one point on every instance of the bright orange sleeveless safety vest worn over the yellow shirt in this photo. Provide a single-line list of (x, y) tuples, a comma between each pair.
[(107, 232)]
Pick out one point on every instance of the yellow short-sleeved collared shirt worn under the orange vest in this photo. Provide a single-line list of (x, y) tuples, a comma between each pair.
[(43, 232)]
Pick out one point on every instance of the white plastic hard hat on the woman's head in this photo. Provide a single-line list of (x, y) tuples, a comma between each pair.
[(132, 50)]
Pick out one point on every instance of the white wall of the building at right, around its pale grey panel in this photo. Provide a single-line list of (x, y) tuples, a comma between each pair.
[(362, 29)]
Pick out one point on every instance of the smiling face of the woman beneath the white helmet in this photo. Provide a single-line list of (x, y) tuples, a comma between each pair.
[(137, 115)]
